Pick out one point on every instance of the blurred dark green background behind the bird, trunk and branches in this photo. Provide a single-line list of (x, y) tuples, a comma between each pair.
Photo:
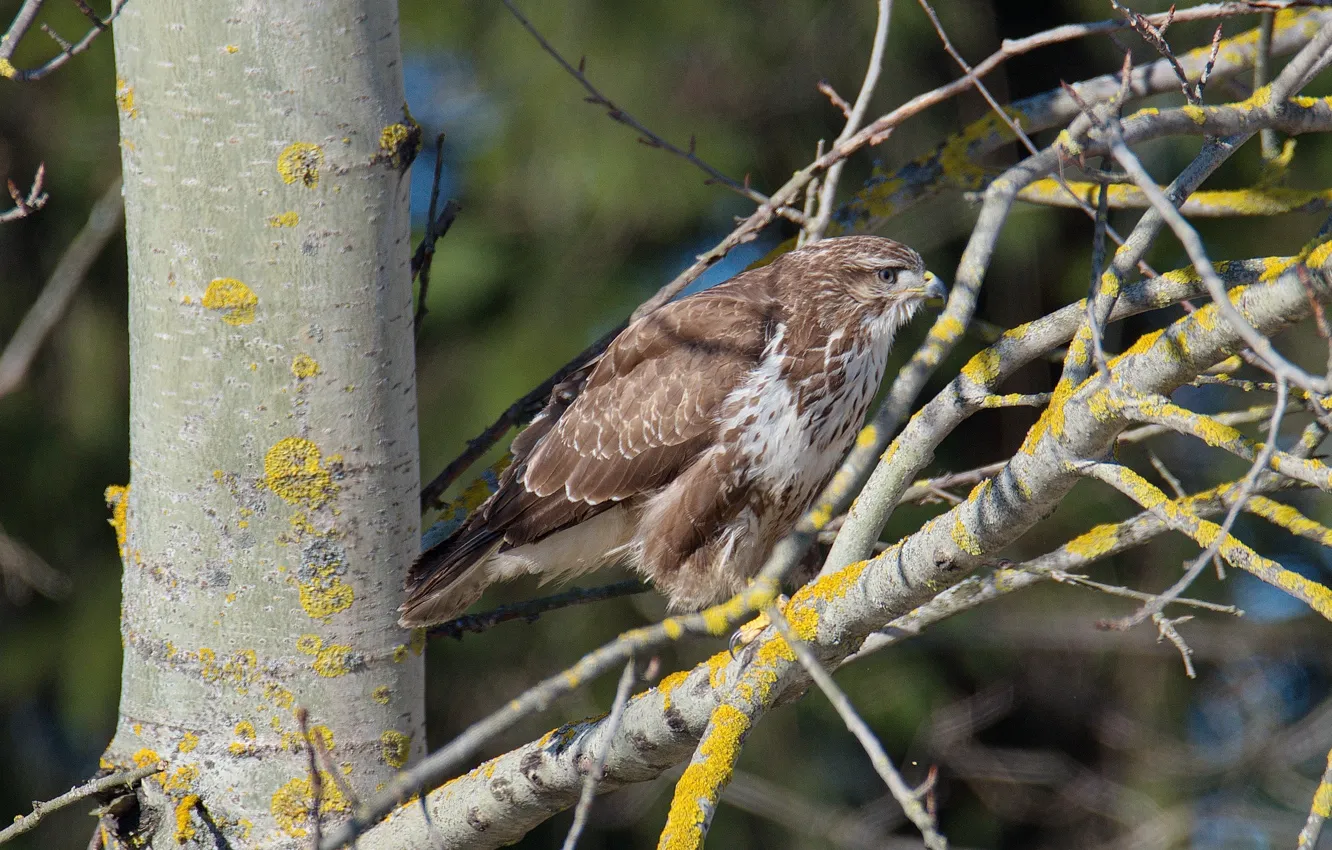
[(1046, 732)]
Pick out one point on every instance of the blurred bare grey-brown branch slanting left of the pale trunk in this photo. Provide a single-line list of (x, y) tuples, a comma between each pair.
[(103, 223)]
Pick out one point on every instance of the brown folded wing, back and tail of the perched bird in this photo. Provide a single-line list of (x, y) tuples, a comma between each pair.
[(640, 419)]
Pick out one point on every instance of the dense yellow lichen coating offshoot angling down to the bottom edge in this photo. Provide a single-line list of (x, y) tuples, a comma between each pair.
[(703, 783)]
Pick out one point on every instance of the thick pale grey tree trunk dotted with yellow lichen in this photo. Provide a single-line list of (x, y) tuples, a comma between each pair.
[(272, 507)]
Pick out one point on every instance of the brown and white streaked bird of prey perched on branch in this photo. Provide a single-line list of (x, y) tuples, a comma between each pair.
[(697, 440)]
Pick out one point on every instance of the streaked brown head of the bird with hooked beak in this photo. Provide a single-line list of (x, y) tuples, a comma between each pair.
[(870, 279)]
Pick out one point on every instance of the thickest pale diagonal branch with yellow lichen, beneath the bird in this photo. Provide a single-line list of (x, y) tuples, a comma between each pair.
[(503, 799)]
